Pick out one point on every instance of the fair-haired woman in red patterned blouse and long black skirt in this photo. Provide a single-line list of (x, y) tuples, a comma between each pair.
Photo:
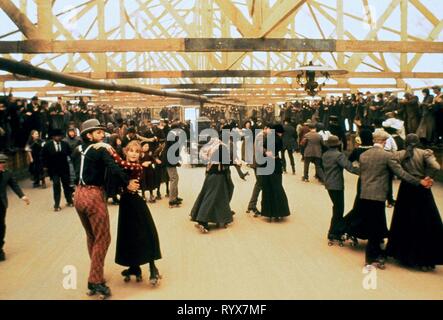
[(137, 238)]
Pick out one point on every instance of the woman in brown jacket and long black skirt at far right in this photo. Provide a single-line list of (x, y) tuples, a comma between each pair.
[(416, 233)]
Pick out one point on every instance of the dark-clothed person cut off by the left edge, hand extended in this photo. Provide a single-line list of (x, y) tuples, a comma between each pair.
[(6, 178)]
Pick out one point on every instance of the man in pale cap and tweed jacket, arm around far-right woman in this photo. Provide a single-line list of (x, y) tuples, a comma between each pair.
[(376, 164)]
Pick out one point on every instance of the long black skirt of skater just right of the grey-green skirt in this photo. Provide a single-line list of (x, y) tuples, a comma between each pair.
[(274, 203)]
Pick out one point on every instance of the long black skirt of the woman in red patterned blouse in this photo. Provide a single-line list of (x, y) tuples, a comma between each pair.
[(137, 238)]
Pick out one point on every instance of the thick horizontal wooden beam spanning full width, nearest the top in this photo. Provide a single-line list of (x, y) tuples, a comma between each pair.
[(219, 45)]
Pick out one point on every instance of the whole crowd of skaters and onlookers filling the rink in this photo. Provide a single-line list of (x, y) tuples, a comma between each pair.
[(95, 154)]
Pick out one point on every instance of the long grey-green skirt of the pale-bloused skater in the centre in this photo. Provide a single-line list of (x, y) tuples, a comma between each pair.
[(212, 204)]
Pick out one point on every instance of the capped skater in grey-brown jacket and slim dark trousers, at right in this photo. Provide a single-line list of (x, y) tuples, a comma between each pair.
[(334, 161)]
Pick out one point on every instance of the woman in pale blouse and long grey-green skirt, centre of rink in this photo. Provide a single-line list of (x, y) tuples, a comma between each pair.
[(212, 204)]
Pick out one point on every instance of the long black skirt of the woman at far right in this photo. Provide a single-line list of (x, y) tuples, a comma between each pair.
[(416, 234)]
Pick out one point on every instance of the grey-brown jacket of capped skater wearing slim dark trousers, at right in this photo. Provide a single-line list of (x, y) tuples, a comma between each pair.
[(334, 162)]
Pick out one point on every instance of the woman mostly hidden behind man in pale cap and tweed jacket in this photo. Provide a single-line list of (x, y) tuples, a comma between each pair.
[(353, 224)]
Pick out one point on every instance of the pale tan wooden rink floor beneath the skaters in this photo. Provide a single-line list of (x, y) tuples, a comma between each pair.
[(252, 259)]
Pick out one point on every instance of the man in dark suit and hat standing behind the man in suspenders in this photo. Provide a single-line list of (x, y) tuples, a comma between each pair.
[(55, 160)]
